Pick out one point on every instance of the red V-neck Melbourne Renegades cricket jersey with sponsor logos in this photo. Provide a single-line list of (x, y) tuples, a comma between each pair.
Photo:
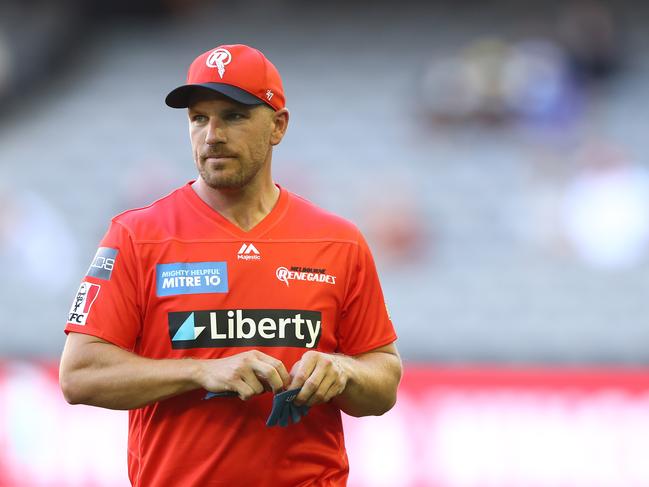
[(176, 279)]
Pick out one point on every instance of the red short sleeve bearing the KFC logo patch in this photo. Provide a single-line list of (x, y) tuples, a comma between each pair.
[(106, 304)]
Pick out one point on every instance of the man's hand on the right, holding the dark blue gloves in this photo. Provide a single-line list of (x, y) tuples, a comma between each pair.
[(321, 377)]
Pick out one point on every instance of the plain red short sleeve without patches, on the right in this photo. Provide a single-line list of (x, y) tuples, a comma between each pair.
[(364, 321)]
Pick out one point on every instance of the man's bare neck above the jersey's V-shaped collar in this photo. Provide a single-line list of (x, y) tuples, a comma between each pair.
[(244, 207)]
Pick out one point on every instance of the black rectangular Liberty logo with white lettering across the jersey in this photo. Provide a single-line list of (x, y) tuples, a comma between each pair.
[(245, 328)]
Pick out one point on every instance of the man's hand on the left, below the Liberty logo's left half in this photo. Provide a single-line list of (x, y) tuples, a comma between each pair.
[(248, 374)]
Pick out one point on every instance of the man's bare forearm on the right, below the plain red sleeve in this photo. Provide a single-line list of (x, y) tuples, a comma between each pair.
[(372, 383)]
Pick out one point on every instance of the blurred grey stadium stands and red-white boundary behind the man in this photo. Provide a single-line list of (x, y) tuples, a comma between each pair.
[(494, 153)]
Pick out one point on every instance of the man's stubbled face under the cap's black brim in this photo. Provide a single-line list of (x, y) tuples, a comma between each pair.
[(231, 142)]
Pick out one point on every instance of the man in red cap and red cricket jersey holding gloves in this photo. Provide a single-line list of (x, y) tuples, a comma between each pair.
[(226, 285)]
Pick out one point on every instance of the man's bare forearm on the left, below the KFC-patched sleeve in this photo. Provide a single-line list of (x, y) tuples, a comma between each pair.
[(105, 375)]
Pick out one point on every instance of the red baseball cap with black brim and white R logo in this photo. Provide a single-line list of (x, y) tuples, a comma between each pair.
[(237, 71)]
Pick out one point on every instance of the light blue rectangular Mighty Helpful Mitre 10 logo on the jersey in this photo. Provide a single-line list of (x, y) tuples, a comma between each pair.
[(191, 278)]
